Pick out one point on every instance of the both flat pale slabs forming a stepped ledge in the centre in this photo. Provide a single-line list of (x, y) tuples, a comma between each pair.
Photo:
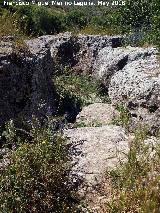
[(96, 149)]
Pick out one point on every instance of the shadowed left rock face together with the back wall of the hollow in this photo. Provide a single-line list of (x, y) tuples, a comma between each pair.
[(26, 86)]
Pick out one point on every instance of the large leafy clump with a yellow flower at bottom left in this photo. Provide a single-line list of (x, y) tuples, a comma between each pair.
[(36, 179)]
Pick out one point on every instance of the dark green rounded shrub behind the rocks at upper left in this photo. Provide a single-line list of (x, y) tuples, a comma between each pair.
[(36, 20)]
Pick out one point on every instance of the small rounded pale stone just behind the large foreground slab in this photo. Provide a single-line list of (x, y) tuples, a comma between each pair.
[(97, 114)]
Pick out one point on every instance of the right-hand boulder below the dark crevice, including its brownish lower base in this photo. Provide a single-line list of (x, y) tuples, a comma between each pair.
[(137, 86)]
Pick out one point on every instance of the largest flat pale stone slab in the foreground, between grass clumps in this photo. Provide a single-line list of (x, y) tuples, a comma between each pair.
[(96, 149)]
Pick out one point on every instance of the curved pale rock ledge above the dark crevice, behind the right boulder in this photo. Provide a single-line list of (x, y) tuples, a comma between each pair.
[(111, 60)]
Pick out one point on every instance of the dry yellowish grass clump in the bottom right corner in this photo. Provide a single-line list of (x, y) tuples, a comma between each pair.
[(135, 186)]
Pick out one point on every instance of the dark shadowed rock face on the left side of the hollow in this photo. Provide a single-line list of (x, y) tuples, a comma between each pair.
[(25, 82)]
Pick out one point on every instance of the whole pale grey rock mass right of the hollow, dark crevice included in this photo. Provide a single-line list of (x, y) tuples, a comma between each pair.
[(131, 76)]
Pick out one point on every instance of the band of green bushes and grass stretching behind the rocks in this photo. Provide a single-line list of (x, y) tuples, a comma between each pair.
[(140, 16)]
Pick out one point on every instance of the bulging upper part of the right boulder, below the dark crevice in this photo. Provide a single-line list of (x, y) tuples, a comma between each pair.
[(138, 79)]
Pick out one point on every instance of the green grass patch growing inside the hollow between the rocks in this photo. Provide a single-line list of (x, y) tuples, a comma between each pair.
[(83, 89)]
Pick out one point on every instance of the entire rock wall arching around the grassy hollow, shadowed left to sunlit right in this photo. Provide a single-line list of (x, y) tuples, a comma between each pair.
[(130, 74)]
